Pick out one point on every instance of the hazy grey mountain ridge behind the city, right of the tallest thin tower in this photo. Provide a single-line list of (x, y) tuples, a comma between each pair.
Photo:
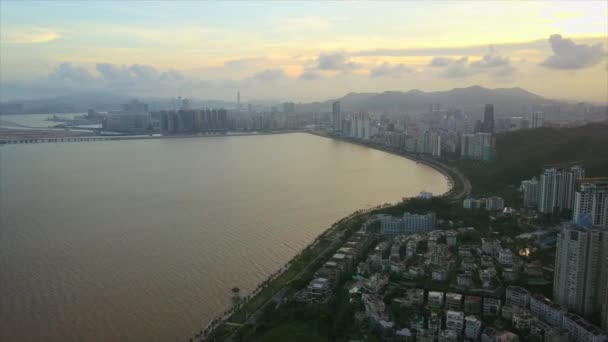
[(417, 100)]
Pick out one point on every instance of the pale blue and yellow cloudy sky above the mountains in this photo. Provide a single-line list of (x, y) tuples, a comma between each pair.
[(301, 51)]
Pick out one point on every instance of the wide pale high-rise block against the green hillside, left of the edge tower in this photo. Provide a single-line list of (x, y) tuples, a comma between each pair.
[(557, 188)]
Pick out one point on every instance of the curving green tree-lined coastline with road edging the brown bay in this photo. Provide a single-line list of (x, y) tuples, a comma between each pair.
[(224, 328)]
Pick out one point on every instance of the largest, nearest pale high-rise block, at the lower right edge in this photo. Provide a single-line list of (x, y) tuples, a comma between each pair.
[(580, 269)]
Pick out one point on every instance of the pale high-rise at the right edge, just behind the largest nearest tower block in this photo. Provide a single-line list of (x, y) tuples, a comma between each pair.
[(591, 203)]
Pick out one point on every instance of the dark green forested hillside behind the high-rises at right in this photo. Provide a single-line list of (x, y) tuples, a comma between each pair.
[(522, 154)]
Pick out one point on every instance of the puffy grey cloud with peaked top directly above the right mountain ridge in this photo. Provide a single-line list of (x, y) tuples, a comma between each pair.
[(491, 63)]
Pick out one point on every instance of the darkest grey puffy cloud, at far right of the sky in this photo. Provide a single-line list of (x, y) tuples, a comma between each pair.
[(569, 55)]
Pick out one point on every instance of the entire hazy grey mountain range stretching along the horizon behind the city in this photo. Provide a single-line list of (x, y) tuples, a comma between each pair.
[(392, 102)]
